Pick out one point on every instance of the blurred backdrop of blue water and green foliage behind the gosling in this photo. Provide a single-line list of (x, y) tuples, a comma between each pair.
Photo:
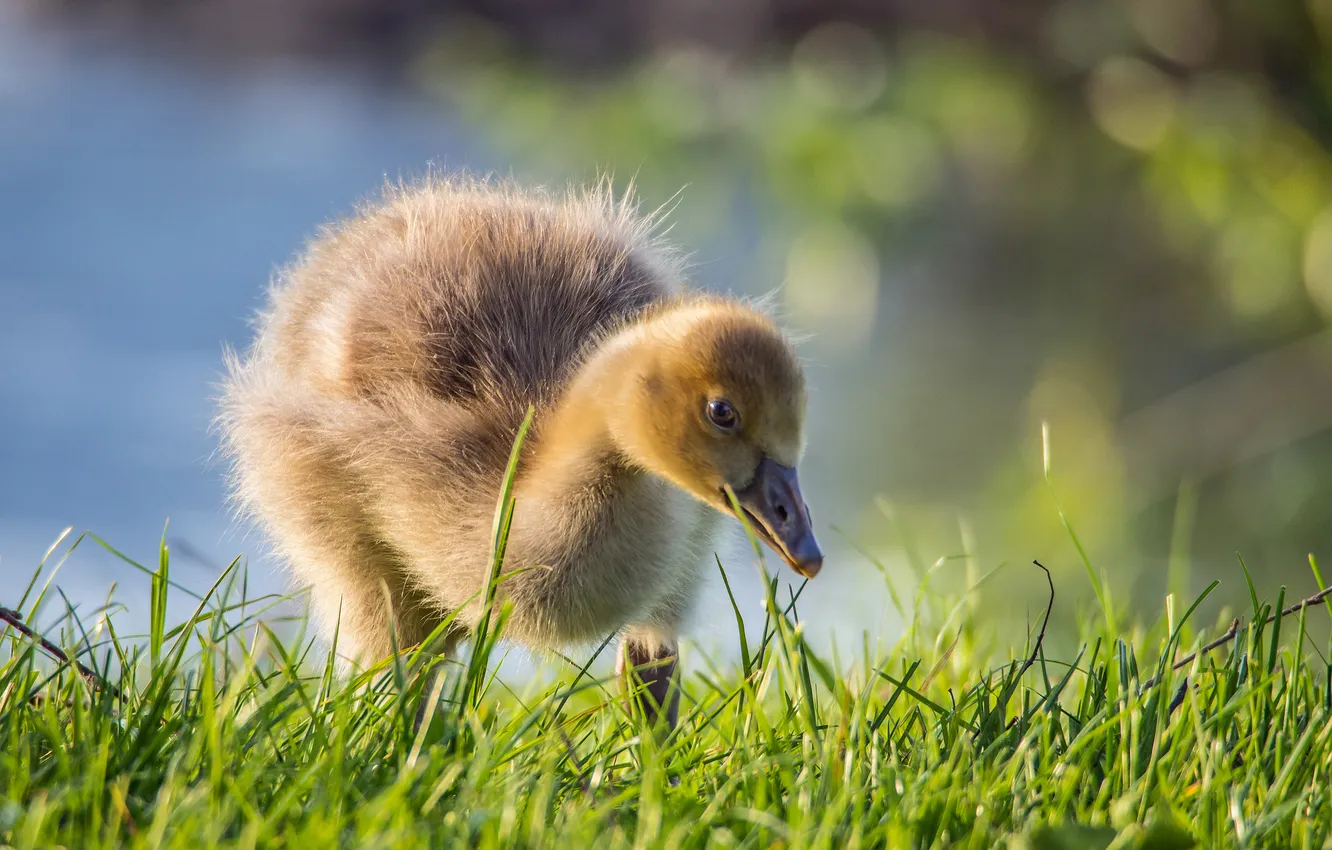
[(1110, 218)]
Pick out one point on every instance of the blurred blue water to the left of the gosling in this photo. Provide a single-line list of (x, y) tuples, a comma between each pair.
[(143, 209)]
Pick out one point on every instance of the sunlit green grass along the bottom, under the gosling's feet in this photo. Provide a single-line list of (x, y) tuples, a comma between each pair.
[(230, 736)]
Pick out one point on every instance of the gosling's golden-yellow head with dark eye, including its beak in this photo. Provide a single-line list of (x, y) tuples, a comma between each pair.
[(719, 404)]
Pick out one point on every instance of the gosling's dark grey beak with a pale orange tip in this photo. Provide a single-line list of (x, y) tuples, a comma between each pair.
[(775, 508)]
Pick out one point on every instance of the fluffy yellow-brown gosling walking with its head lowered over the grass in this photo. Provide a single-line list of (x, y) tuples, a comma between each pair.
[(372, 422)]
